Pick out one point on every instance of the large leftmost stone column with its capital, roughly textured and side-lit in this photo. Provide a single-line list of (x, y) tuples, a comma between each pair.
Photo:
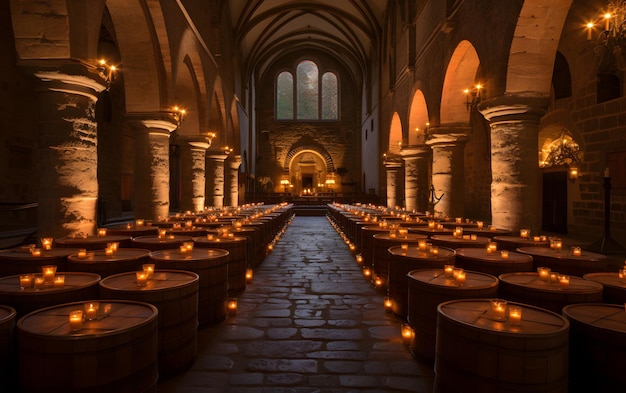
[(68, 155)]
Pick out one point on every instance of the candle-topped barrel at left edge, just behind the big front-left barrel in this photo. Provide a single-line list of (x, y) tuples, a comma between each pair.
[(78, 286)]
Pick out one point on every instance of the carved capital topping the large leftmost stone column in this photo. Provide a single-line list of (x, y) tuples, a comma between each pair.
[(70, 77)]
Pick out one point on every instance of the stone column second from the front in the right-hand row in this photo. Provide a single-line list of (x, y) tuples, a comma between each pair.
[(447, 144)]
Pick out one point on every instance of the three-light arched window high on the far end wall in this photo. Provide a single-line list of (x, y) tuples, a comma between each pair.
[(313, 97)]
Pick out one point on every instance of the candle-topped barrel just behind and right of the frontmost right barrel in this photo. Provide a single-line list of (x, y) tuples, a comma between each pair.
[(526, 287)]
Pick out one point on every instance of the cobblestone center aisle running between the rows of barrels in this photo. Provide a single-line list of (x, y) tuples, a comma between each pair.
[(308, 322)]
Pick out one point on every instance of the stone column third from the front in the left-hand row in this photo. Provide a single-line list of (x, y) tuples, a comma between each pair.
[(193, 169)]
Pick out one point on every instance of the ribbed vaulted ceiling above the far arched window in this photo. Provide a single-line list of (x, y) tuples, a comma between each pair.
[(346, 29)]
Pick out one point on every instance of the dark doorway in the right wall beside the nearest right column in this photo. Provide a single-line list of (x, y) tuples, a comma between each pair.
[(554, 202)]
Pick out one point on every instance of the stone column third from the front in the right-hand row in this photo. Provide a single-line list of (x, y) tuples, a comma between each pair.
[(415, 178)]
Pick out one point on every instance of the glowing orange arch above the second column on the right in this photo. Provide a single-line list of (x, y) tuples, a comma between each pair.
[(460, 75)]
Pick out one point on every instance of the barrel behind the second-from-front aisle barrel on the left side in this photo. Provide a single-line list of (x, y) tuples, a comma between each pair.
[(123, 260)]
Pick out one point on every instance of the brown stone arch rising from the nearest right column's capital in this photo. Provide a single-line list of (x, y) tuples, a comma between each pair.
[(534, 45)]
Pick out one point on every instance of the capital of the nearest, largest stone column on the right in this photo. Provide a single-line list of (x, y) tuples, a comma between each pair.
[(516, 108)]
